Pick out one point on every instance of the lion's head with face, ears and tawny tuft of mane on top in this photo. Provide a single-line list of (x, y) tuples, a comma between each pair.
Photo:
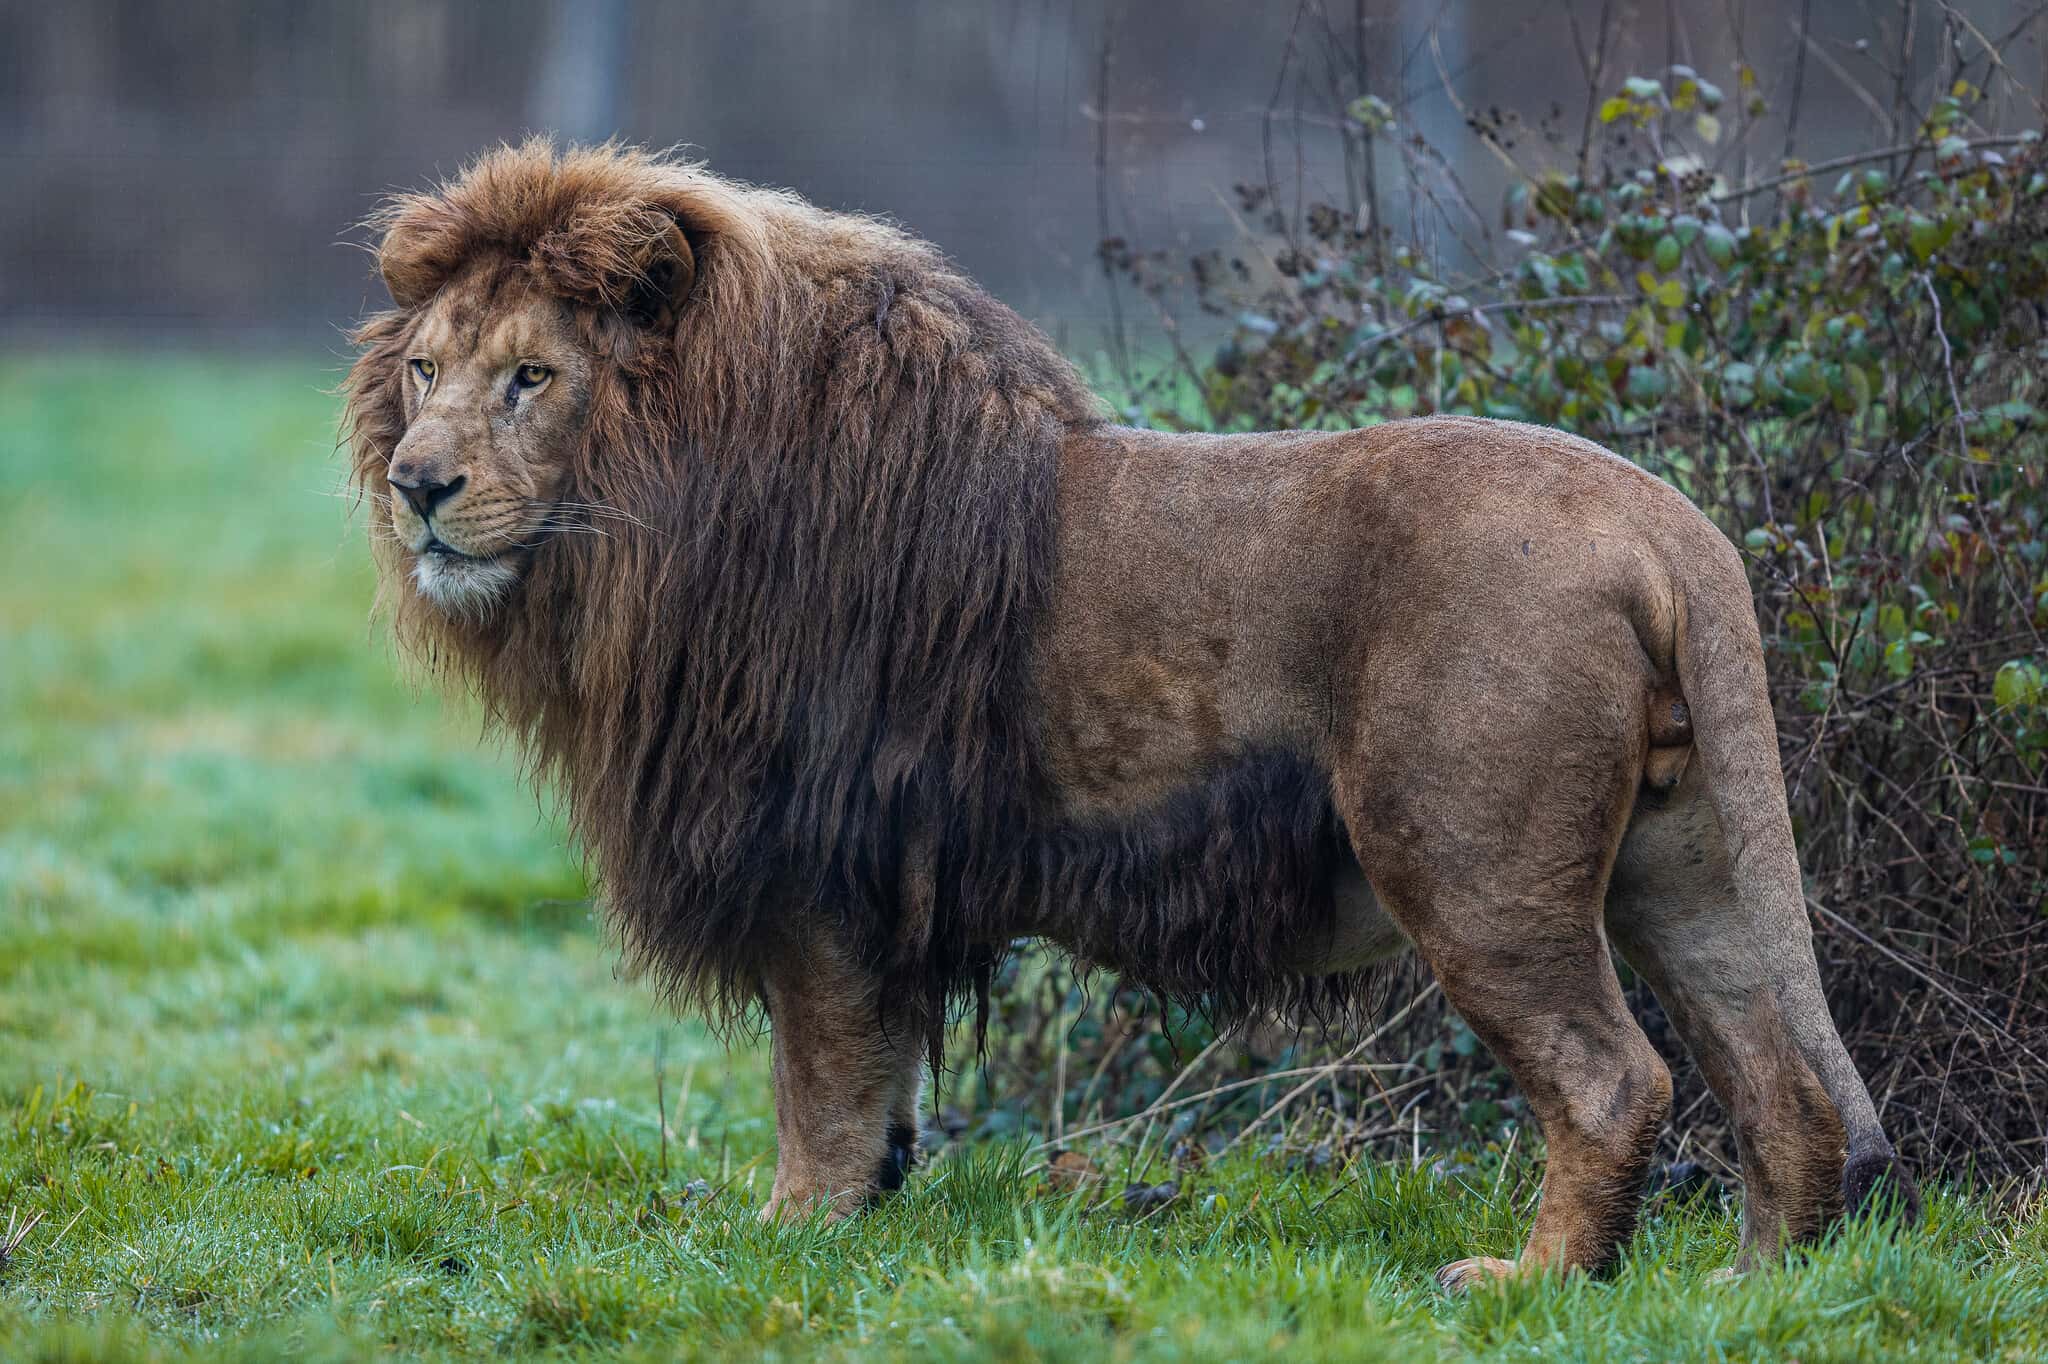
[(517, 290)]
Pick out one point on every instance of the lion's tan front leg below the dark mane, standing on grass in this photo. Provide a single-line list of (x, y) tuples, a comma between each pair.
[(847, 1076)]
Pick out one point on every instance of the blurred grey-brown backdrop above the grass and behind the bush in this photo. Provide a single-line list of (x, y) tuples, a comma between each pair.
[(194, 169)]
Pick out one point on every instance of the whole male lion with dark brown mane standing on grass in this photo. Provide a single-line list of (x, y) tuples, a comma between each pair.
[(861, 644)]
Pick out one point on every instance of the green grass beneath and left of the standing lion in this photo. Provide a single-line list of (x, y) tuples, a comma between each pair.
[(310, 1046)]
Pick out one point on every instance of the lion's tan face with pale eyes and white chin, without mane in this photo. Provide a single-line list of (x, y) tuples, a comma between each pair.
[(497, 390)]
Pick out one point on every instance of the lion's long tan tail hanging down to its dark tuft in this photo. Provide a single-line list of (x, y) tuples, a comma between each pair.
[(1721, 673)]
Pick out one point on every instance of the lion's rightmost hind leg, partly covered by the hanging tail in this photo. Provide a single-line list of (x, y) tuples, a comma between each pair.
[(1676, 917)]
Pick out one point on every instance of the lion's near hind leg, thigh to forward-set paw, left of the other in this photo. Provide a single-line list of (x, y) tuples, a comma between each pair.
[(1494, 859)]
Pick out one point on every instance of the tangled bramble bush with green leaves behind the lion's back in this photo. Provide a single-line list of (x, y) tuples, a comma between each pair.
[(1844, 368)]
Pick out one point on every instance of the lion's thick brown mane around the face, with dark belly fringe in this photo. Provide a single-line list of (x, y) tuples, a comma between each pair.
[(800, 673)]
